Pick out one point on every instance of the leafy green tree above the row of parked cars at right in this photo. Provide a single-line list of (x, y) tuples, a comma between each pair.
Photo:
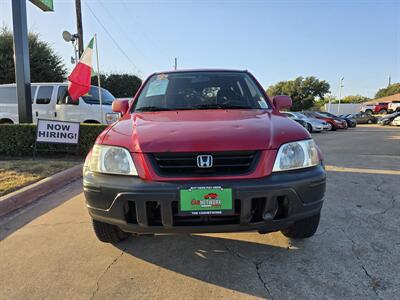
[(303, 91)]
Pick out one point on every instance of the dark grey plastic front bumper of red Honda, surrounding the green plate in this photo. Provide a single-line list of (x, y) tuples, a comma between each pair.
[(264, 204)]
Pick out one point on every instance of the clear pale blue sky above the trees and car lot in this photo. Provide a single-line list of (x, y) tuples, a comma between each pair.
[(274, 40)]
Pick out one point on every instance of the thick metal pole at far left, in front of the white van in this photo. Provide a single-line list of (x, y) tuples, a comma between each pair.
[(21, 61)]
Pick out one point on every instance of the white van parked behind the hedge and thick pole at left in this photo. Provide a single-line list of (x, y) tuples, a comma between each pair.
[(51, 101)]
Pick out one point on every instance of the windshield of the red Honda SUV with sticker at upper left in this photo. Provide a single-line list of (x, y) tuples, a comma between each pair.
[(200, 90)]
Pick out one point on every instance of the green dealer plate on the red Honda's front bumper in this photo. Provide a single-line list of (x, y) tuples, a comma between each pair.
[(205, 201)]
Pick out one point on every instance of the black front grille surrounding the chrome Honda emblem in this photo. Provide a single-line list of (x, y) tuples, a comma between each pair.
[(185, 164)]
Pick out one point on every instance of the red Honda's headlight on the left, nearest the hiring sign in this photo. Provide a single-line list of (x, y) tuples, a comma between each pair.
[(111, 160)]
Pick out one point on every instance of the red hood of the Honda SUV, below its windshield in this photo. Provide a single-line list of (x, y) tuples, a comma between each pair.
[(203, 131)]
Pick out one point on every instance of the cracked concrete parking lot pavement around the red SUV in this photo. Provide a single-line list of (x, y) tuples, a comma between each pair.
[(48, 250)]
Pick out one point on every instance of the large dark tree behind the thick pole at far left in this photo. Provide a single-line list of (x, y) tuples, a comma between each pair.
[(45, 64)]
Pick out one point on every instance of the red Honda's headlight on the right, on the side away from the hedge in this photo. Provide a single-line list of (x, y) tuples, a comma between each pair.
[(296, 155)]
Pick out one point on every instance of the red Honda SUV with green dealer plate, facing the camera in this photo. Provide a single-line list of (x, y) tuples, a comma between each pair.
[(190, 135)]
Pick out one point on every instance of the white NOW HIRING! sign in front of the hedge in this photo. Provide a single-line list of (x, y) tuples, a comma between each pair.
[(49, 131)]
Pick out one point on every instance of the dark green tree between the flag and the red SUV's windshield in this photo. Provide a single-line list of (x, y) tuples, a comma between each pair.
[(120, 85)]
